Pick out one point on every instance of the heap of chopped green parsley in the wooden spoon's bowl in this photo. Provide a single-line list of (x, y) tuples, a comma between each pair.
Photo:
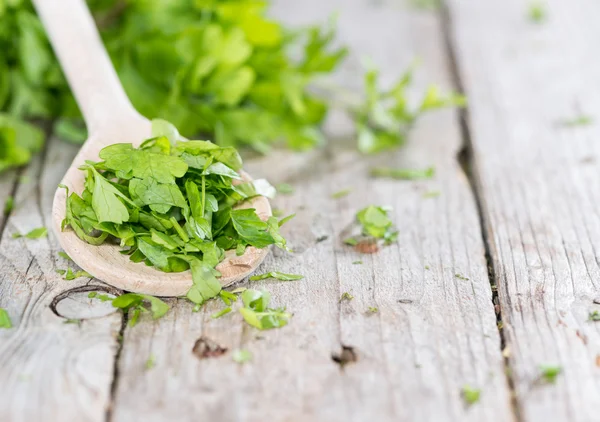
[(171, 204)]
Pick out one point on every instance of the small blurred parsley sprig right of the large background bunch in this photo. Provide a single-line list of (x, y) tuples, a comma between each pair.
[(385, 118)]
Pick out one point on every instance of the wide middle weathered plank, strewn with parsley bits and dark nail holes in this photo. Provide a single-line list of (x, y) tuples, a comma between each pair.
[(434, 332)]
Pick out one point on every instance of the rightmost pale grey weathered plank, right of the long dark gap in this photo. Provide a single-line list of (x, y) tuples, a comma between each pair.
[(539, 187)]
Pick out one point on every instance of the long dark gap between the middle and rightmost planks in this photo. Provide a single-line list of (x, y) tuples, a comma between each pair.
[(465, 158)]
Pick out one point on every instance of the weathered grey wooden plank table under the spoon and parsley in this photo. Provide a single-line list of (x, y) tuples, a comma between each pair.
[(518, 209)]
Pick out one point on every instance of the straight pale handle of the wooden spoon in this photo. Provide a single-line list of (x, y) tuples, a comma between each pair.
[(86, 64)]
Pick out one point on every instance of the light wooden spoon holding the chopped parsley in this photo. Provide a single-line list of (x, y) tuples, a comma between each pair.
[(110, 119)]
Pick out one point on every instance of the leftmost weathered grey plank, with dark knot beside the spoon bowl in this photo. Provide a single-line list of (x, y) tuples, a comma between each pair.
[(49, 370)]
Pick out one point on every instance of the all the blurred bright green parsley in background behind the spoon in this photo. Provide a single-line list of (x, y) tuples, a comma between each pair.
[(215, 68)]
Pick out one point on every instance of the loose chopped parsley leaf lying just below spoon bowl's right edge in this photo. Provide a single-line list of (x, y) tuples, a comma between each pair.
[(257, 313)]
